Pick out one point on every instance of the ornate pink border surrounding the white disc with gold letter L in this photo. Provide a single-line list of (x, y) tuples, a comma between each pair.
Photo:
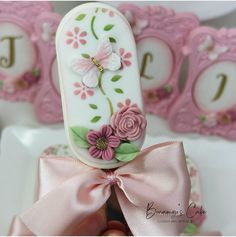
[(171, 28)]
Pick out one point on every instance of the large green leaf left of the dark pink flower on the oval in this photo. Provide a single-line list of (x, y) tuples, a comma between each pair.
[(79, 136)]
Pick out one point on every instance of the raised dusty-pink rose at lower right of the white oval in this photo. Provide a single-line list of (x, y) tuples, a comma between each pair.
[(128, 123)]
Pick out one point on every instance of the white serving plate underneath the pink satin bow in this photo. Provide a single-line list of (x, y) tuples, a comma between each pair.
[(216, 158)]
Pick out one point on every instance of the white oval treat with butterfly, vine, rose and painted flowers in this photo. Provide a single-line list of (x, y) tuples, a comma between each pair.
[(100, 86)]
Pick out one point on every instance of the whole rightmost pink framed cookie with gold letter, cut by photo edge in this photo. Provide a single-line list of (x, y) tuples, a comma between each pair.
[(208, 103)]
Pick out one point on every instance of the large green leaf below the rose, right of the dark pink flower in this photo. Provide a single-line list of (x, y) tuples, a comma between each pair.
[(126, 152)]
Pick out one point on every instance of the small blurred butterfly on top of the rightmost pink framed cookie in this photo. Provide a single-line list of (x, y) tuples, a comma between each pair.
[(213, 51)]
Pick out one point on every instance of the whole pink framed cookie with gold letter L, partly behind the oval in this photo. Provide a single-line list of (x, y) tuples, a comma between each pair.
[(160, 35)]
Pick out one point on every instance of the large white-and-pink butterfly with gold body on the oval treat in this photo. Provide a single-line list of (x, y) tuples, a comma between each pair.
[(89, 68)]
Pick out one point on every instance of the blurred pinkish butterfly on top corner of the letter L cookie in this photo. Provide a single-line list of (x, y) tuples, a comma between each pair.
[(137, 24)]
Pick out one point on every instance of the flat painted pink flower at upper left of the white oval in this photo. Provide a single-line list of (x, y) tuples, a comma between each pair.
[(76, 37)]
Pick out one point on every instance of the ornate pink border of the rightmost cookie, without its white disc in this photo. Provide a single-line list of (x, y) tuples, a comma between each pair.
[(185, 114)]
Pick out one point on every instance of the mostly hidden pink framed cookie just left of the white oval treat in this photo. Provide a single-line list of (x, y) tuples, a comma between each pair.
[(47, 100)]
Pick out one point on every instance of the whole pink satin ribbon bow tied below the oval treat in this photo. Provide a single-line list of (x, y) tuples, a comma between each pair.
[(70, 191)]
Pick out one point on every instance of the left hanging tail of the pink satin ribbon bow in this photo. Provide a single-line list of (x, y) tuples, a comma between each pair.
[(61, 211)]
